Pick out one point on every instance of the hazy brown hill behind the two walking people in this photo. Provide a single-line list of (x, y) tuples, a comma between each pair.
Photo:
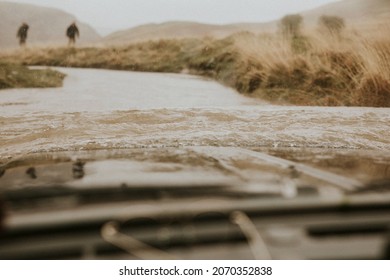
[(47, 25)]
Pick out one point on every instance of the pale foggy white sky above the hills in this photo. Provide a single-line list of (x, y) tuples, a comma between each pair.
[(111, 15)]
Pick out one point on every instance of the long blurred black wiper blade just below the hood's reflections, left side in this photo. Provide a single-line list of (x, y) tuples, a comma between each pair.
[(38, 196)]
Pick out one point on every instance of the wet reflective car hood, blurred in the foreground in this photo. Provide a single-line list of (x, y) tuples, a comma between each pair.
[(190, 203)]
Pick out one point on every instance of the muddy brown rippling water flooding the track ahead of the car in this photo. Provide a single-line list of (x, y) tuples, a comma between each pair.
[(99, 109)]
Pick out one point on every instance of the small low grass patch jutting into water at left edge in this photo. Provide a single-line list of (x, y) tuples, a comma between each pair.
[(19, 76)]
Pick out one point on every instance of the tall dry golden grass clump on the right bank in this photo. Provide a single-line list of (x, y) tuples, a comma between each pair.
[(352, 70)]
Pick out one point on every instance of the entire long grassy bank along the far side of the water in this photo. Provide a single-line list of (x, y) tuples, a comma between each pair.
[(312, 69)]
